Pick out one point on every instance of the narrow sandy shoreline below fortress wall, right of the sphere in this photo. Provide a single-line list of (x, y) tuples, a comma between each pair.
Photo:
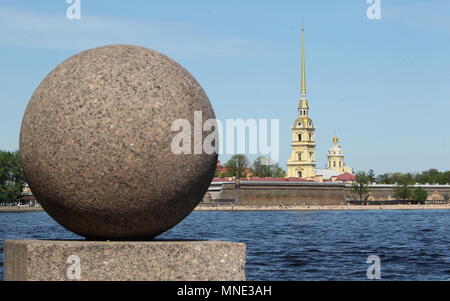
[(321, 207)]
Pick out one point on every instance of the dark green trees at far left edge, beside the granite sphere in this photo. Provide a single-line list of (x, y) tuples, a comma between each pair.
[(11, 176)]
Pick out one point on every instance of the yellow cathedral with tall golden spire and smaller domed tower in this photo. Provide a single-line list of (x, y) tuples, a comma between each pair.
[(302, 162)]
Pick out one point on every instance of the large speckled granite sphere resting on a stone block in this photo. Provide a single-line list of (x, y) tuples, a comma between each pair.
[(95, 143)]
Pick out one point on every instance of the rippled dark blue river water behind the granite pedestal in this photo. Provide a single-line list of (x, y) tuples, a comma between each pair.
[(322, 245)]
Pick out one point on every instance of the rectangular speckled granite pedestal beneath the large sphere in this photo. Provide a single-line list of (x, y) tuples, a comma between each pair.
[(41, 260)]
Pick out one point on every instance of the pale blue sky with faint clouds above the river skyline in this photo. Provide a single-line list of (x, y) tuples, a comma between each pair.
[(384, 85)]
